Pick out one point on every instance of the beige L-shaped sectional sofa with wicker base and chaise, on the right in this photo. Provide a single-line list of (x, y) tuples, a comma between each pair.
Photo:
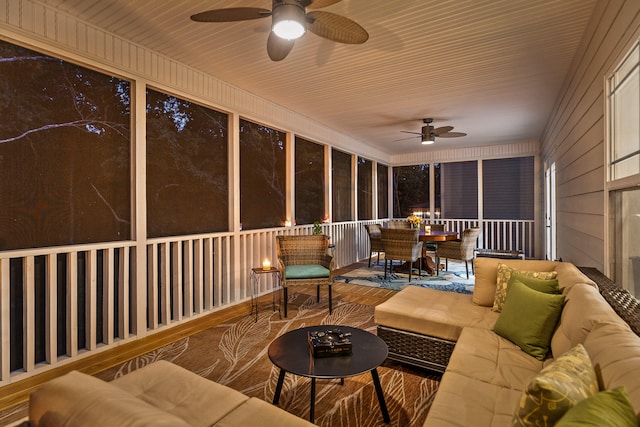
[(485, 374)]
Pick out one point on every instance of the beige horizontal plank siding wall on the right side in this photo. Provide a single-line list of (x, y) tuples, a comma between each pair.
[(575, 135)]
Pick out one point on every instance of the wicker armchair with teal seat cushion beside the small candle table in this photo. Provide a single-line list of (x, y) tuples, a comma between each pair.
[(303, 260)]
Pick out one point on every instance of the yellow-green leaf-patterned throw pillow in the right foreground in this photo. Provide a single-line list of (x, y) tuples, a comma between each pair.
[(558, 387)]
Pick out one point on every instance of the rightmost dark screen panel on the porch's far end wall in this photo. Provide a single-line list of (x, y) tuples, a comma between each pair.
[(508, 188)]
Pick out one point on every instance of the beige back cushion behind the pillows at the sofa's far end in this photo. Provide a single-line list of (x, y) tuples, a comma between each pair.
[(486, 272)]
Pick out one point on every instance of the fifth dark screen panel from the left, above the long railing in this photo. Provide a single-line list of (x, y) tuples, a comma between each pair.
[(341, 186)]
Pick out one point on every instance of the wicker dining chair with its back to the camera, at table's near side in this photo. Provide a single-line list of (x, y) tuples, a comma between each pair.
[(402, 244)]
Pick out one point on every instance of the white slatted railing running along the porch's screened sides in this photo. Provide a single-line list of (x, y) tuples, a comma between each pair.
[(62, 304)]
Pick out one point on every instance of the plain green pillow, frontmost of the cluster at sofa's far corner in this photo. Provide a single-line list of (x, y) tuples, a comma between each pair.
[(528, 319)]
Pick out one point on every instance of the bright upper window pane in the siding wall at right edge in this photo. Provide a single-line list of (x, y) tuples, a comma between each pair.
[(624, 110)]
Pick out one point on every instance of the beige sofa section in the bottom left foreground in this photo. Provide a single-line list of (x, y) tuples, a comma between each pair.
[(160, 394)]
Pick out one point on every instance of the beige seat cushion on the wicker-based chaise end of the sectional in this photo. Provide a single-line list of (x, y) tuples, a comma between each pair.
[(432, 312)]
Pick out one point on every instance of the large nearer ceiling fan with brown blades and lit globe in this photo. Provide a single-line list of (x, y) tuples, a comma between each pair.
[(289, 21)]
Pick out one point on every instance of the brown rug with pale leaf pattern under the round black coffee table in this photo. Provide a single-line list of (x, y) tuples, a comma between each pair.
[(235, 354)]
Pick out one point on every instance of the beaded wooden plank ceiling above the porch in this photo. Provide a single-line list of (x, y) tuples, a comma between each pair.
[(490, 68)]
